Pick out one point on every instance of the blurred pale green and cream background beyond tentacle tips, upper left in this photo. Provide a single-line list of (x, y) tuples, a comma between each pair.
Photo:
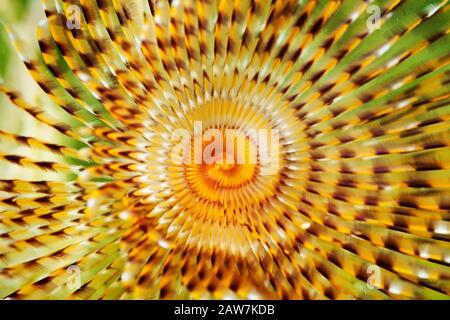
[(22, 16)]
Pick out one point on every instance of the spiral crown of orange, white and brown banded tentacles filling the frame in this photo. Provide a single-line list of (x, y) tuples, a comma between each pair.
[(358, 207)]
